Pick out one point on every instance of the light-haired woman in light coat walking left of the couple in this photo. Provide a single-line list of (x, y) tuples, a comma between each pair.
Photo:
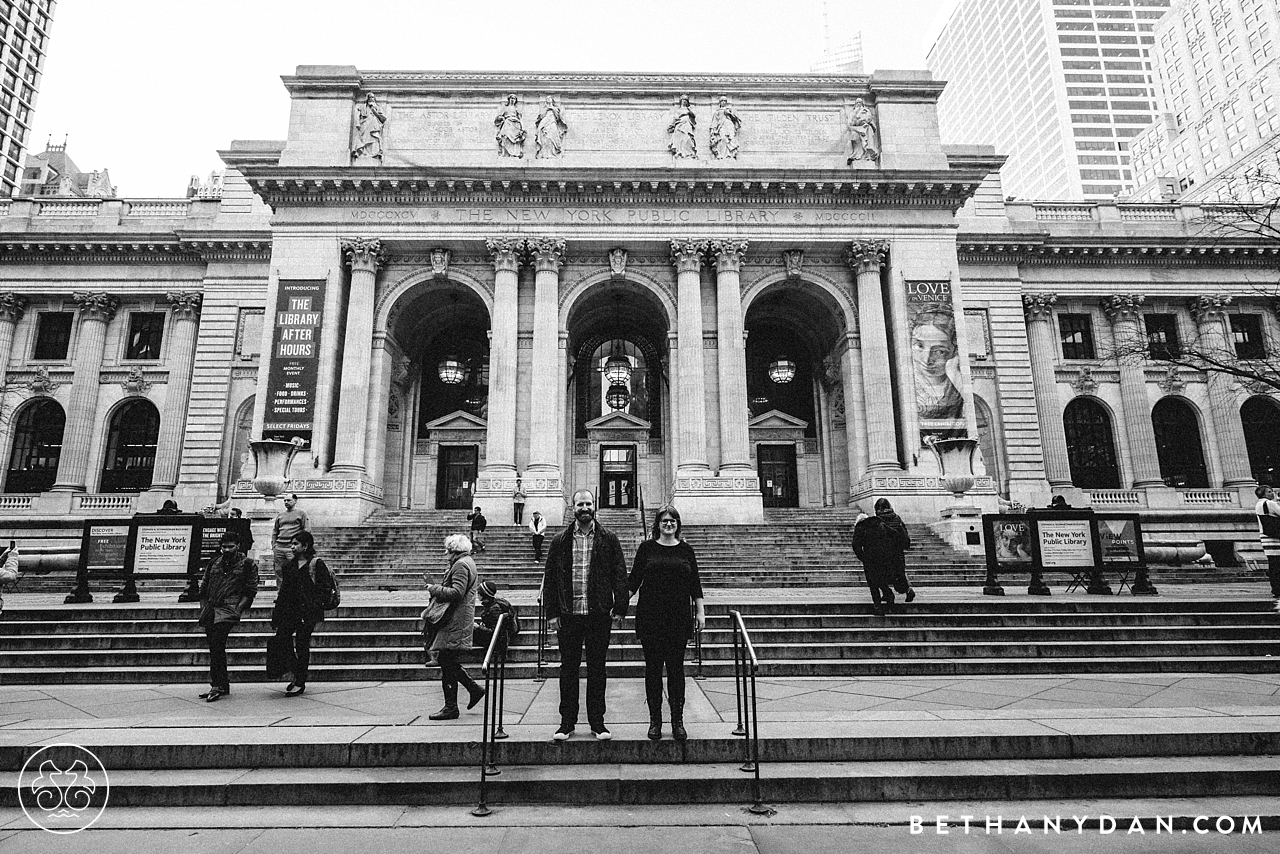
[(454, 637)]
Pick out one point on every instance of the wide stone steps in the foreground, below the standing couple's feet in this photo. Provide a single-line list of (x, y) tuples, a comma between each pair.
[(355, 766)]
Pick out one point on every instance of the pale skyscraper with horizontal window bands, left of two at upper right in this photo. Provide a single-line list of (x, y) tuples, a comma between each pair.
[(1060, 86)]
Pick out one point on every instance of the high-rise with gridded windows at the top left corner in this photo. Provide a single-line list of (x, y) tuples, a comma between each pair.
[(25, 33)]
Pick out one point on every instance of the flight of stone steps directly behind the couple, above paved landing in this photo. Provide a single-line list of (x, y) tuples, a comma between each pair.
[(161, 645)]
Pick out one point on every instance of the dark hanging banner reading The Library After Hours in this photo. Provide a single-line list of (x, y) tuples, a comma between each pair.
[(295, 360)]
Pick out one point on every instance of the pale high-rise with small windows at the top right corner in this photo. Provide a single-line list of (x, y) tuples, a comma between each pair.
[(1219, 68)]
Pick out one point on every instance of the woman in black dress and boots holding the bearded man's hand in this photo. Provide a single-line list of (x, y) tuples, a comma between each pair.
[(666, 576)]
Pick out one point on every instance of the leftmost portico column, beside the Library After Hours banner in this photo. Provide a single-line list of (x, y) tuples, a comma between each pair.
[(354, 417)]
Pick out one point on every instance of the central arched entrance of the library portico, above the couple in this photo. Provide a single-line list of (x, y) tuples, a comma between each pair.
[(618, 392)]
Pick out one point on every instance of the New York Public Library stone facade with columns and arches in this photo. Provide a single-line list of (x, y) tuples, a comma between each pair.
[(733, 293)]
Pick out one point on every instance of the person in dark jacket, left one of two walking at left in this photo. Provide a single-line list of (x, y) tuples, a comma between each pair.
[(227, 593)]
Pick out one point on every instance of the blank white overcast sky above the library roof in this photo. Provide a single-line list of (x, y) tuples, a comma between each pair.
[(152, 89)]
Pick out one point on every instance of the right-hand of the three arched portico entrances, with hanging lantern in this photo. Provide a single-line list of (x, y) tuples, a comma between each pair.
[(793, 332)]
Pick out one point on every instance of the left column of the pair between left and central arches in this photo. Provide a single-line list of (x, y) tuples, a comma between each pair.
[(500, 464)]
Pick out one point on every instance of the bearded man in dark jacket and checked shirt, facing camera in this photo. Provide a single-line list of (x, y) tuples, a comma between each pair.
[(586, 597)]
